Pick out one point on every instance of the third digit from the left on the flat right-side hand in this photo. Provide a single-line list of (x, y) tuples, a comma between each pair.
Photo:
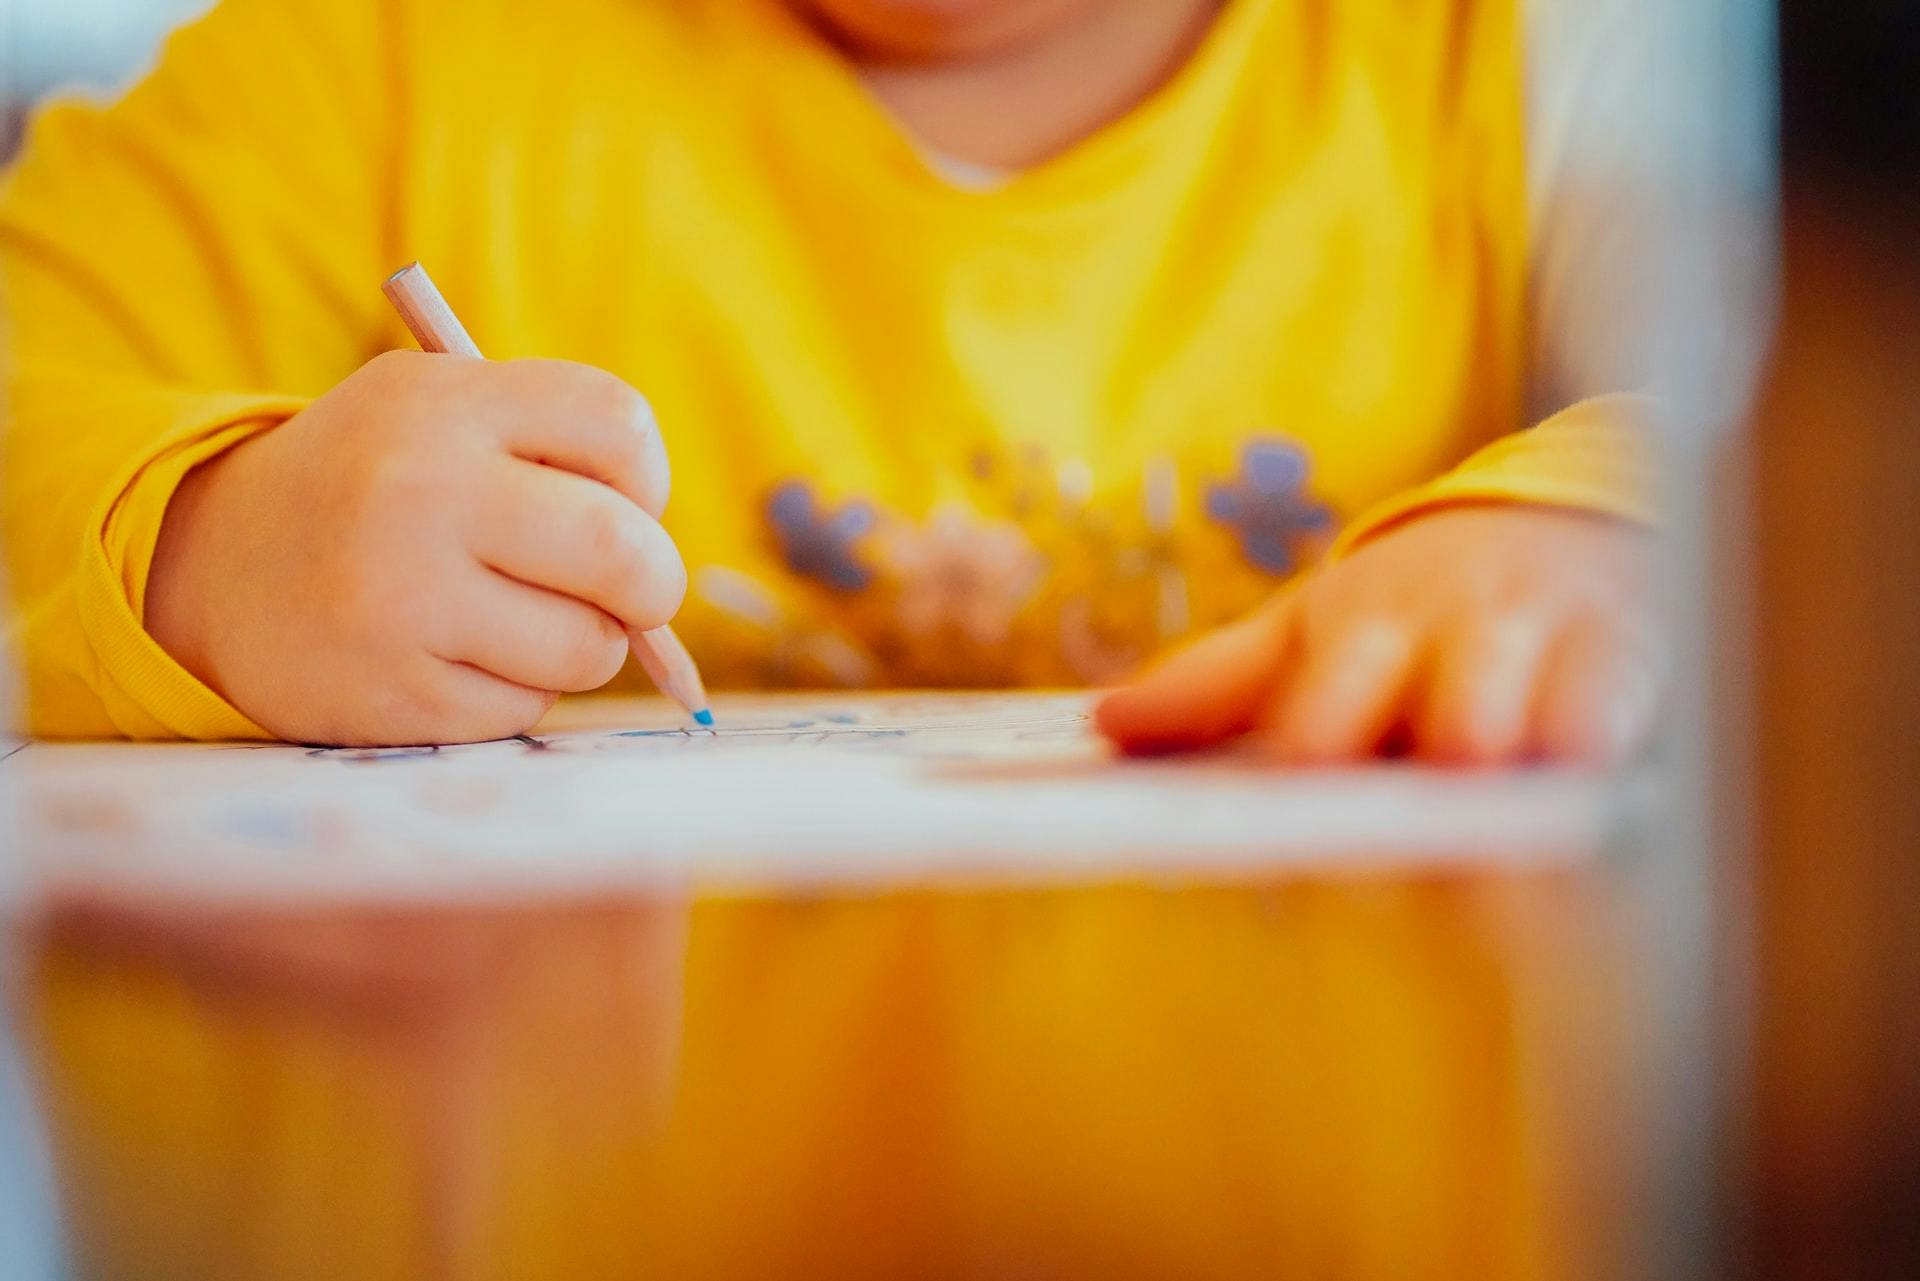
[(1479, 700)]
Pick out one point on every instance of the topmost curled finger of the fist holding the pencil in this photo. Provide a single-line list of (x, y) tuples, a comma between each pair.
[(588, 423)]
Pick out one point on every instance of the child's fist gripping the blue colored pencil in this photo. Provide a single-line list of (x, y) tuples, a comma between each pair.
[(431, 552)]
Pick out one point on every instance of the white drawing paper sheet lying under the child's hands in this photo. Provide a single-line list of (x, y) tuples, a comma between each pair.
[(786, 792)]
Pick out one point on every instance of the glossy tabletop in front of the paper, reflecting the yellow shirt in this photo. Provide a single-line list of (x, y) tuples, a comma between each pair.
[(1337, 1078)]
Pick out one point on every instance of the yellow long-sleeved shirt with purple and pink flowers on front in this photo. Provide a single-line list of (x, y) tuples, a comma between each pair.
[(921, 435)]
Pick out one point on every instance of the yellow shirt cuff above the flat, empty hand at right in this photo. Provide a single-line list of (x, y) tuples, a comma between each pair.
[(1595, 456)]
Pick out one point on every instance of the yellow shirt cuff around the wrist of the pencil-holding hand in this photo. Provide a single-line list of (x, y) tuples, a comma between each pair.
[(147, 692)]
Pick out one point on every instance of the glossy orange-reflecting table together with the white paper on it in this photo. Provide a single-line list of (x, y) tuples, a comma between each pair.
[(1337, 1027)]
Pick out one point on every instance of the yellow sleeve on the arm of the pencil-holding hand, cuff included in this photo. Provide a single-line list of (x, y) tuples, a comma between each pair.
[(180, 270)]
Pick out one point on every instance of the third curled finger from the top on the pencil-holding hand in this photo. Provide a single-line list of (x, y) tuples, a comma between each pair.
[(535, 639)]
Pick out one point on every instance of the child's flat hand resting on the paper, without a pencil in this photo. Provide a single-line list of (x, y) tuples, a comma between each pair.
[(1474, 635)]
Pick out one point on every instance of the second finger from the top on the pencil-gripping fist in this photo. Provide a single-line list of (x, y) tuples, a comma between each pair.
[(569, 535)]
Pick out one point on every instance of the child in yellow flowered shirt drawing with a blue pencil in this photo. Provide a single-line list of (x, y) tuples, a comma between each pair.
[(992, 343)]
